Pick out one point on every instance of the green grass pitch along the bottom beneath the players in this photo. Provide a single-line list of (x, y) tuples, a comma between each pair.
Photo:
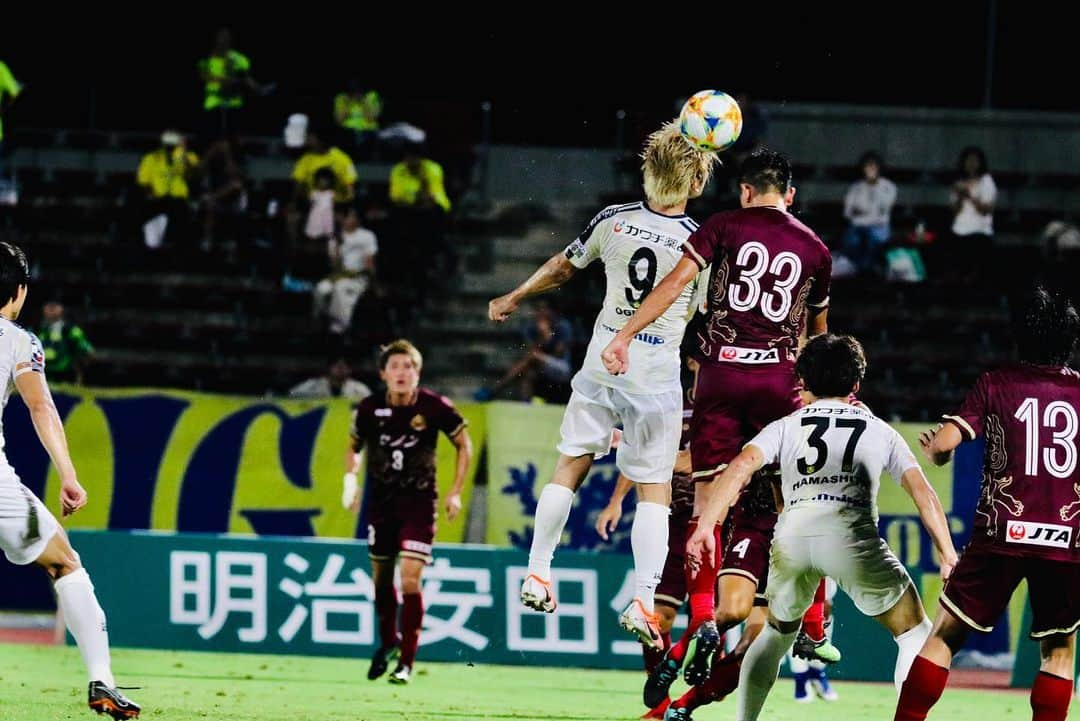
[(47, 684)]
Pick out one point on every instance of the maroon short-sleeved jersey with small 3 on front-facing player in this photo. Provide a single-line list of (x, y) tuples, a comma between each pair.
[(401, 443)]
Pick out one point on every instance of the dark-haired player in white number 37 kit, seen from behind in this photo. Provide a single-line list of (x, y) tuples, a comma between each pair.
[(831, 455)]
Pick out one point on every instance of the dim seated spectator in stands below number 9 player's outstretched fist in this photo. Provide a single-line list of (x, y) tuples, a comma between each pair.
[(546, 369)]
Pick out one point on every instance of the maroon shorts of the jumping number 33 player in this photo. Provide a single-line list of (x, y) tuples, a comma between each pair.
[(732, 404)]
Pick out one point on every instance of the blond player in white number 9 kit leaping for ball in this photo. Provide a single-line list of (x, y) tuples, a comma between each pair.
[(639, 243)]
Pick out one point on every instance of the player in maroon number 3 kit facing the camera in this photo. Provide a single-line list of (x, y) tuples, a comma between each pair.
[(400, 432)]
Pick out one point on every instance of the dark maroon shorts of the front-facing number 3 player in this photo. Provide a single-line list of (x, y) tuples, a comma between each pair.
[(403, 526)]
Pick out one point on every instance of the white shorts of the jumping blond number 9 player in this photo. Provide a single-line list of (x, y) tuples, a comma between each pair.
[(652, 428)]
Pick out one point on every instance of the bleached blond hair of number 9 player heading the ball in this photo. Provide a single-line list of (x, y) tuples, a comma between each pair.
[(674, 170)]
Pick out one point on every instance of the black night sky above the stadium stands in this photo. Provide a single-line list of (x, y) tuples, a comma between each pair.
[(553, 77)]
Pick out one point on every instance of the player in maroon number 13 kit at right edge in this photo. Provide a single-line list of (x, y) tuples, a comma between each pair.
[(1028, 522)]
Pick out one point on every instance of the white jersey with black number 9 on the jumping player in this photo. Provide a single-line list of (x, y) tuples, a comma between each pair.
[(639, 249)]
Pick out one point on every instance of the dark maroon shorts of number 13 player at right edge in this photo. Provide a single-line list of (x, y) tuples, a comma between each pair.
[(983, 582)]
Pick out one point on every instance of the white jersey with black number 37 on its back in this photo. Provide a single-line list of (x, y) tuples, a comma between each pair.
[(831, 457)]
